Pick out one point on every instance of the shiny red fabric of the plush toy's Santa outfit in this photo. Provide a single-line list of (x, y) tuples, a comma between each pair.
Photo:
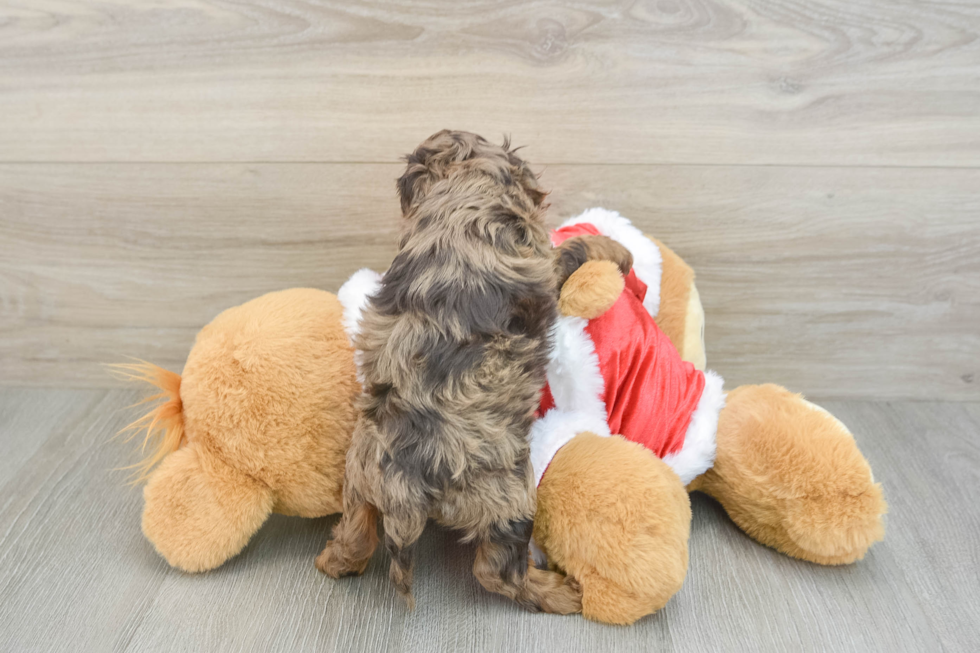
[(650, 393)]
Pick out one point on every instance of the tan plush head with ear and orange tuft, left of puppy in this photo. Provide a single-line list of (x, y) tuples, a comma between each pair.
[(259, 422)]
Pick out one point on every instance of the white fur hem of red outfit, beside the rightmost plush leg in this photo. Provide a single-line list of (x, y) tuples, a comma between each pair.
[(700, 443)]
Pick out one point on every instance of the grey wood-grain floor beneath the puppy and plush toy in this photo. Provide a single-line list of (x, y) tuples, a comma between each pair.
[(77, 575)]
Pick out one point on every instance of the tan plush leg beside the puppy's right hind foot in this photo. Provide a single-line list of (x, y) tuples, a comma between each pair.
[(617, 519)]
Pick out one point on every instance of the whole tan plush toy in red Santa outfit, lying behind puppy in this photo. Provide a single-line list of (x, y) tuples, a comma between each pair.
[(260, 419)]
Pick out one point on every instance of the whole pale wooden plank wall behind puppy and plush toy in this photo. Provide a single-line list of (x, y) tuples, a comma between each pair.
[(818, 164)]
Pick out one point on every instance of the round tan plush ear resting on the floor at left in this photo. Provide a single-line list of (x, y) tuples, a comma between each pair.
[(200, 512)]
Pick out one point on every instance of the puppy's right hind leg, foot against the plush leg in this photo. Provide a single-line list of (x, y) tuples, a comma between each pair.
[(502, 566)]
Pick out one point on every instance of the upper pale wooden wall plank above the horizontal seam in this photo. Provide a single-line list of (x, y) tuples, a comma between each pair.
[(654, 81)]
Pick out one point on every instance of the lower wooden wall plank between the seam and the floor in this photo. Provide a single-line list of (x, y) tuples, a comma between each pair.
[(835, 282)]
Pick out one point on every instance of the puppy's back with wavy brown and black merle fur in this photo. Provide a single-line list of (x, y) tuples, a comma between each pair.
[(455, 342)]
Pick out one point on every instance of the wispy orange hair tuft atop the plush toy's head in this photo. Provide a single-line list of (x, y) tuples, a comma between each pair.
[(163, 424)]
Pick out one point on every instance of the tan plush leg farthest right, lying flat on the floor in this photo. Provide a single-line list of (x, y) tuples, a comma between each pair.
[(791, 476)]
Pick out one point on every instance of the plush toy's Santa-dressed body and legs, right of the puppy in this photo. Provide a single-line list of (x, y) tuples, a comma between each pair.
[(612, 509)]
